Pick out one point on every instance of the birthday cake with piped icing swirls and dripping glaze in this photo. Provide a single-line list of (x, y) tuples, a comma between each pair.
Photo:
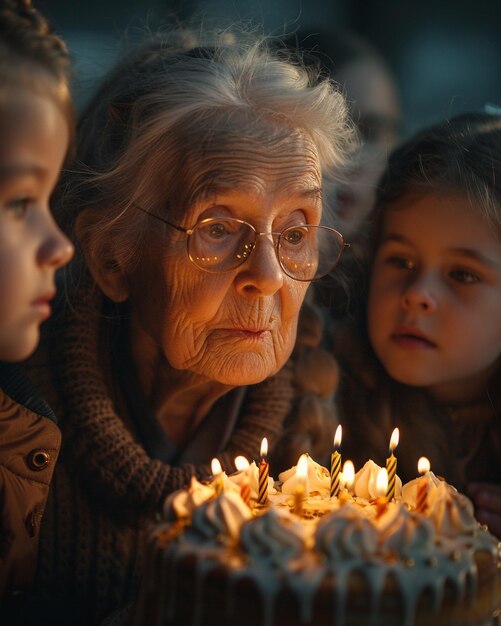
[(306, 558)]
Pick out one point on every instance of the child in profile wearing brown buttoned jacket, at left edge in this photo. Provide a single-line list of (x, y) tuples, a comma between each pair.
[(36, 123)]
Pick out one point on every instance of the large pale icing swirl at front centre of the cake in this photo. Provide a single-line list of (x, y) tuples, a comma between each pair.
[(346, 534)]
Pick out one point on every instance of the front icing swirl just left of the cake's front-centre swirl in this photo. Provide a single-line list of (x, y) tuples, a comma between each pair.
[(273, 538)]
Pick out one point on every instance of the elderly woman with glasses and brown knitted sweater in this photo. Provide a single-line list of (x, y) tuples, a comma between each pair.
[(195, 206)]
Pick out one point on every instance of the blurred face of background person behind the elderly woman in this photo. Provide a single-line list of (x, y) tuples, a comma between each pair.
[(373, 98)]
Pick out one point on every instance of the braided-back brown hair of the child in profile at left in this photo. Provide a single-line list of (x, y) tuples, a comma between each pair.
[(29, 47)]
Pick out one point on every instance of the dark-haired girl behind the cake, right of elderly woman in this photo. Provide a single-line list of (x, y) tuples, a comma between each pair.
[(426, 354)]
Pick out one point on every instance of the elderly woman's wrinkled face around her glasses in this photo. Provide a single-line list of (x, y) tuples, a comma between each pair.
[(237, 327)]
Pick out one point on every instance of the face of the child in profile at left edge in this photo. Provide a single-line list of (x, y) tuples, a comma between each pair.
[(33, 142)]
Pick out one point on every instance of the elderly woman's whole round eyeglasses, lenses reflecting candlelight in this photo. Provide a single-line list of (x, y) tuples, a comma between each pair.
[(305, 252)]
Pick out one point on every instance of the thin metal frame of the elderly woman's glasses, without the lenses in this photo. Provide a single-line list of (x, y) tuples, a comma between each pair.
[(189, 232)]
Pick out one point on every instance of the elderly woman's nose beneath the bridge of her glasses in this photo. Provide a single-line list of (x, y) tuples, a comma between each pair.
[(261, 273)]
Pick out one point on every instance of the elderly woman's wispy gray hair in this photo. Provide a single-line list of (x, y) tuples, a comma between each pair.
[(162, 103)]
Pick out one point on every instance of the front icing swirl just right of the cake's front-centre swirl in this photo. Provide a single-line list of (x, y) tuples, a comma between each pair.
[(407, 535)]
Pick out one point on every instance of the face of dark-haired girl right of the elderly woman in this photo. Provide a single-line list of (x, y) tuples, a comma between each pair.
[(434, 314)]
